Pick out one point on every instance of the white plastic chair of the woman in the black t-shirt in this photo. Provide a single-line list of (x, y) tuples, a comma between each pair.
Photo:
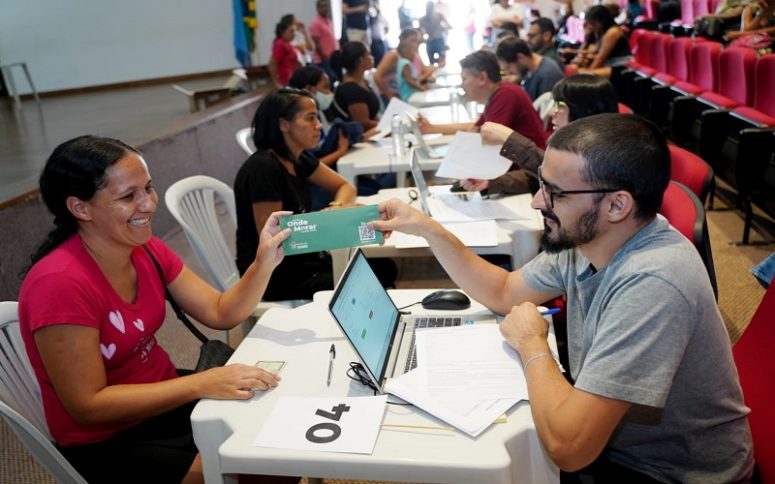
[(192, 202)]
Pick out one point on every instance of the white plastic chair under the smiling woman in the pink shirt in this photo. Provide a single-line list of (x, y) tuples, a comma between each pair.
[(20, 401)]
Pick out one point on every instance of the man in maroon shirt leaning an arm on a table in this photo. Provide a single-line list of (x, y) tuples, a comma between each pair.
[(505, 103)]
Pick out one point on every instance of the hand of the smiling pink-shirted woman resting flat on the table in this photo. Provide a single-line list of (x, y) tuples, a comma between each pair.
[(236, 381)]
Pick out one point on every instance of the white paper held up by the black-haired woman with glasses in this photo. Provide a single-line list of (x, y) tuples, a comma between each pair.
[(468, 158)]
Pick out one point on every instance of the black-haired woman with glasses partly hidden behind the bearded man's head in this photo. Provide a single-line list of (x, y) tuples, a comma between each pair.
[(575, 97)]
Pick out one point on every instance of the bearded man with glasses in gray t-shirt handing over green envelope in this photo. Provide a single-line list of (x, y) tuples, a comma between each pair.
[(656, 397)]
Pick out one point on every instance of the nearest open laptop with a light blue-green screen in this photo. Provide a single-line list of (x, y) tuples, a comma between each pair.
[(381, 336)]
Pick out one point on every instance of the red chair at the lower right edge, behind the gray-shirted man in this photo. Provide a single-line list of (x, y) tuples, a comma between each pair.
[(753, 357)]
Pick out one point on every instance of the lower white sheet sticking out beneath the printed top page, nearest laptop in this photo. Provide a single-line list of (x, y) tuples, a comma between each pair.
[(471, 417)]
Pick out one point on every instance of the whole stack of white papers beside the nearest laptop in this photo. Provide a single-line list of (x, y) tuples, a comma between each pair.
[(467, 376)]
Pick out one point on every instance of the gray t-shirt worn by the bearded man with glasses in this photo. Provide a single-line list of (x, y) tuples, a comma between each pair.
[(646, 329)]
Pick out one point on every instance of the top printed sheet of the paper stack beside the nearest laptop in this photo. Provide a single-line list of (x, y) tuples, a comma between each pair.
[(469, 363)]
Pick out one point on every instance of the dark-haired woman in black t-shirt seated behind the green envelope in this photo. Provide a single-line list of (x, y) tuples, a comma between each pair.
[(277, 177)]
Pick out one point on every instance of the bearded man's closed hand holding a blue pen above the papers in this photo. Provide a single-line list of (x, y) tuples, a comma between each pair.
[(525, 330)]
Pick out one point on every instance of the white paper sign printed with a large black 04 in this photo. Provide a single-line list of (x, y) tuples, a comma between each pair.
[(346, 424)]
